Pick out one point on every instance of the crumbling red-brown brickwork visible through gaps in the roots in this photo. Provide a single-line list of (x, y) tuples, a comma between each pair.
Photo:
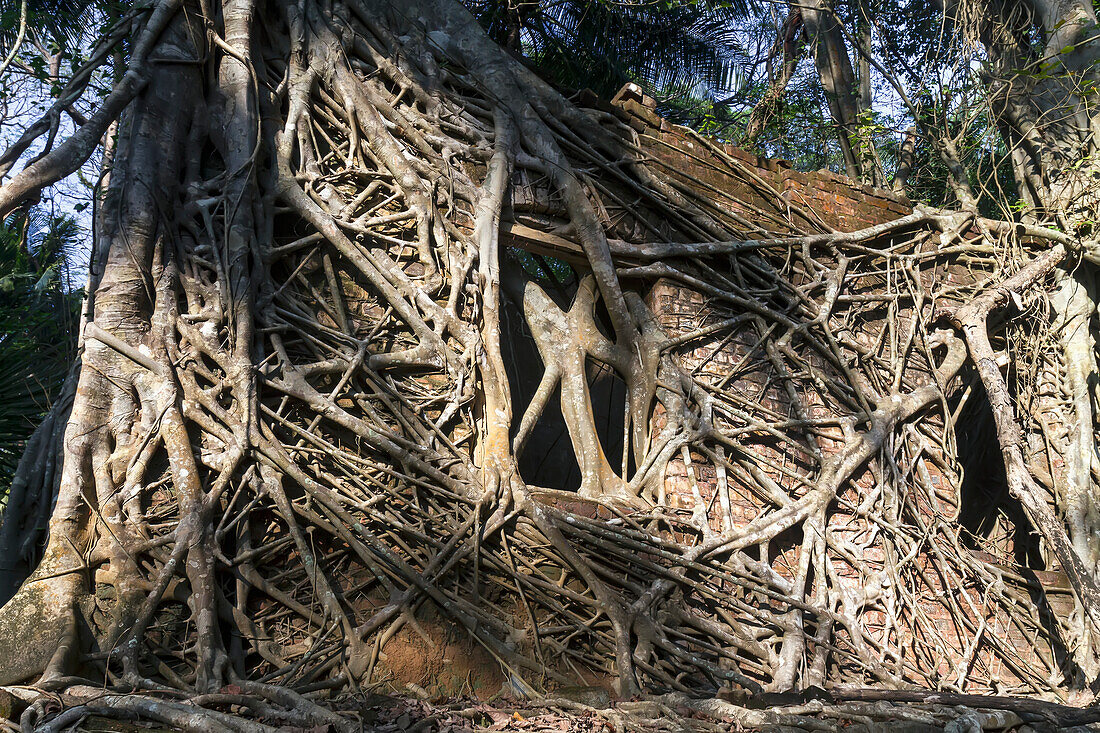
[(826, 202)]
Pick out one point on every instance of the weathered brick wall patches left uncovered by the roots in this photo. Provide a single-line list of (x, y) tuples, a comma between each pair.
[(739, 363)]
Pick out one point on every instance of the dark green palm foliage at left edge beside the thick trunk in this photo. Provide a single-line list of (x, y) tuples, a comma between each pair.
[(39, 314)]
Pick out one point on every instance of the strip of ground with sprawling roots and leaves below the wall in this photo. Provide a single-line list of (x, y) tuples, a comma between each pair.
[(255, 712)]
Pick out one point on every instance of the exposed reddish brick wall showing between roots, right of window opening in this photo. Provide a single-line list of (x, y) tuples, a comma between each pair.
[(824, 201)]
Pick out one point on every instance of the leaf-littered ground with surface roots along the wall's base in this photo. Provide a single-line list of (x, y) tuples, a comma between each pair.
[(588, 710)]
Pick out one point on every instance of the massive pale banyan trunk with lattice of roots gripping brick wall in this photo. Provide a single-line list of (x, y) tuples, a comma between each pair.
[(296, 422)]
